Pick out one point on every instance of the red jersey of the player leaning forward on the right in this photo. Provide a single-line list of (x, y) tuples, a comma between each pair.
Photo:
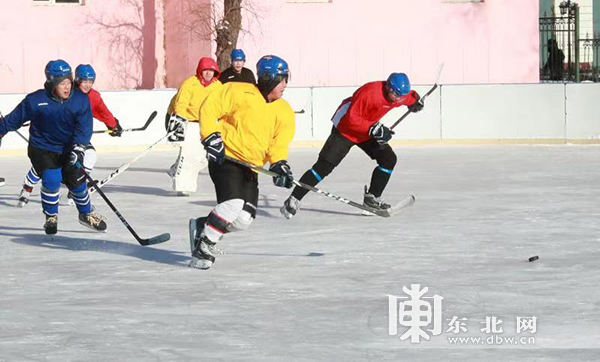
[(367, 106)]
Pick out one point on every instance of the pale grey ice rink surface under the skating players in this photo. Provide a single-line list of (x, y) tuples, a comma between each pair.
[(315, 287)]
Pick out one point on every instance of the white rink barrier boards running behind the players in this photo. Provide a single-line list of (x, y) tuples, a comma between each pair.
[(495, 113)]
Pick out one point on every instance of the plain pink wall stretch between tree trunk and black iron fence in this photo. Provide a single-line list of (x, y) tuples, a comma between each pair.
[(349, 42)]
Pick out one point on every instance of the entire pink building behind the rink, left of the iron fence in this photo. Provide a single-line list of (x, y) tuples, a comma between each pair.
[(144, 44)]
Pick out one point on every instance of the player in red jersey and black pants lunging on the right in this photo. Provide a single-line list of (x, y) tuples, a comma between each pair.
[(356, 122)]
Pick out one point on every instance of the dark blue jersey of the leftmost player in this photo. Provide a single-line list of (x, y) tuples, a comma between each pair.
[(55, 125)]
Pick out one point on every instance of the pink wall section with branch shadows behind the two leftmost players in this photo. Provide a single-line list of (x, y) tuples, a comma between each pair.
[(122, 39)]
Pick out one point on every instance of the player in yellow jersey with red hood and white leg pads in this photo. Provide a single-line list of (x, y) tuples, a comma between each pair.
[(183, 117)]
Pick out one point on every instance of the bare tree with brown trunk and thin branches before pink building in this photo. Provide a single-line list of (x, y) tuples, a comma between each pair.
[(222, 22)]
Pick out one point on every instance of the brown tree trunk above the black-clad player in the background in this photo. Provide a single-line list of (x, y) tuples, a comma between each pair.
[(228, 31)]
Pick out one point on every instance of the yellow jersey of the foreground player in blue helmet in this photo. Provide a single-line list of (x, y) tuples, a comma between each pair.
[(253, 130)]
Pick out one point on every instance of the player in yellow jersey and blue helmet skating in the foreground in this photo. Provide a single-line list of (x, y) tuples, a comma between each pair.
[(252, 124)]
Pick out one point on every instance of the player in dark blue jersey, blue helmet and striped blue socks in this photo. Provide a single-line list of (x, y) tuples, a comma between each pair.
[(61, 127)]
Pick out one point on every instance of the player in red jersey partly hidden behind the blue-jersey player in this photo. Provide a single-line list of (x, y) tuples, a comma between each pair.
[(85, 76)]
